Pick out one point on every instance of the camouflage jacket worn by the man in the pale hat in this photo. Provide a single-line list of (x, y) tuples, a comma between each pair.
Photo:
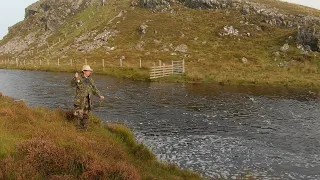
[(85, 88)]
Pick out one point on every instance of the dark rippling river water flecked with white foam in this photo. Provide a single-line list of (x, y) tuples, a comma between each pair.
[(218, 131)]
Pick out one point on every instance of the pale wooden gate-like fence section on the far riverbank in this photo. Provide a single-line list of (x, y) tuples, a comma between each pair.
[(177, 67)]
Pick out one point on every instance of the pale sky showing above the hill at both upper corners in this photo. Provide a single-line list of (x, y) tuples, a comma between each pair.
[(12, 12)]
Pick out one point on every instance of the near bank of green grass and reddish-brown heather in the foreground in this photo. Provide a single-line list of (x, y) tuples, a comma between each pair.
[(37, 143)]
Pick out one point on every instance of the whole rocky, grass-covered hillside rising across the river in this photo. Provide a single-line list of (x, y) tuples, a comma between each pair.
[(254, 42)]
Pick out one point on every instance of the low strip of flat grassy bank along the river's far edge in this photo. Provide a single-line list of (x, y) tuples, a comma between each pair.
[(305, 75)]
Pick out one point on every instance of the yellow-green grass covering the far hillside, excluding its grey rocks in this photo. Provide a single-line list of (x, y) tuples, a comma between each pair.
[(210, 58)]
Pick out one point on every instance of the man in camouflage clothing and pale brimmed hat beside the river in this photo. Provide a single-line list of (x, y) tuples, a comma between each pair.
[(85, 88)]
